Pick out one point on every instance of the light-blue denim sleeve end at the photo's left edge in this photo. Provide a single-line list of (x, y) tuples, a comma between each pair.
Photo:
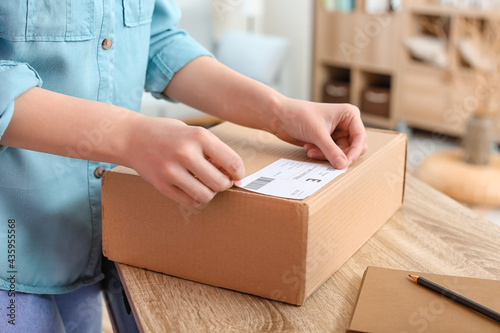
[(15, 79)]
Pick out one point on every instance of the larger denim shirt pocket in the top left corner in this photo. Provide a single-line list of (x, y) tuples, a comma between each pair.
[(47, 20)]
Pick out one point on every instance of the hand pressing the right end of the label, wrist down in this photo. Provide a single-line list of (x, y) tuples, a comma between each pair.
[(333, 132)]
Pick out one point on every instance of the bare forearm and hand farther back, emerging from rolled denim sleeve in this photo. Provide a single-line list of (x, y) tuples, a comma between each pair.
[(327, 131)]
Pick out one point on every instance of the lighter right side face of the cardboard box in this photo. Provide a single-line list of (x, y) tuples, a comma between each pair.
[(343, 217)]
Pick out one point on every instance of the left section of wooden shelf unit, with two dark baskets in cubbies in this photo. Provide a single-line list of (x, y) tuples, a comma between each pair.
[(361, 44)]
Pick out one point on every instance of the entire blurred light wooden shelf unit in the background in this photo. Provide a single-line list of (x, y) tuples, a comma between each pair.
[(421, 94)]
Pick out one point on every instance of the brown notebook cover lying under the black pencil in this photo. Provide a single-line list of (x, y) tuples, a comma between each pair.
[(389, 301)]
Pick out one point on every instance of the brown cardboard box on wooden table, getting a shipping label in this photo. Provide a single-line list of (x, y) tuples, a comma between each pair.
[(272, 247)]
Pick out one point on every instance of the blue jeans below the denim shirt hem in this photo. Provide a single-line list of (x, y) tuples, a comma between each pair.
[(76, 311)]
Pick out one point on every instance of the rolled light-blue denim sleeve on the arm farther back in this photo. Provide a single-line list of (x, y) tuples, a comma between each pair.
[(170, 48)]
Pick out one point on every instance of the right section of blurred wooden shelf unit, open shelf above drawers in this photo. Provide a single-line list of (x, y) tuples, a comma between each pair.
[(440, 99)]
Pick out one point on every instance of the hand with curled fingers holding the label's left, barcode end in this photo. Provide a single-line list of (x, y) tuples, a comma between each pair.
[(187, 164)]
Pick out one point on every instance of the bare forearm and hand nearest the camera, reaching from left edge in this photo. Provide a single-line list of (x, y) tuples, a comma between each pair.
[(177, 159)]
